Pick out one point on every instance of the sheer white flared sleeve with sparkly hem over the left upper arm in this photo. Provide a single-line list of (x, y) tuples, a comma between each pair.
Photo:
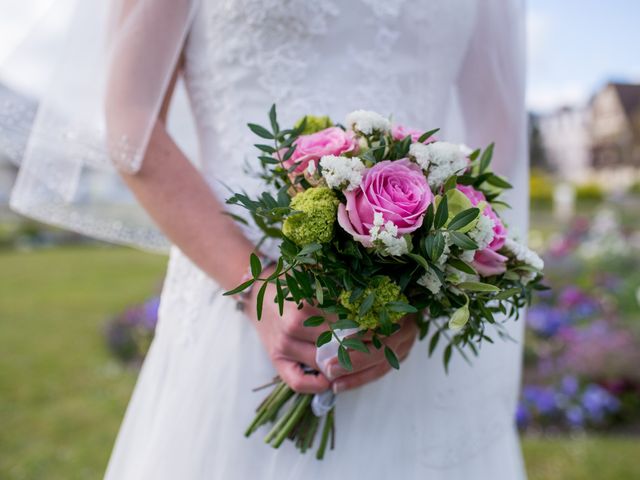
[(96, 117)]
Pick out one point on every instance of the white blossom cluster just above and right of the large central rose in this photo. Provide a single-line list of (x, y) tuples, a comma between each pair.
[(440, 159)]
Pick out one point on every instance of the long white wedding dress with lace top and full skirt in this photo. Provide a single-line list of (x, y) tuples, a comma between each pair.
[(430, 63)]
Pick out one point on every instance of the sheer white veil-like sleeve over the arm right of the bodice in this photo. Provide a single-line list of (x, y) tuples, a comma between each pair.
[(491, 91)]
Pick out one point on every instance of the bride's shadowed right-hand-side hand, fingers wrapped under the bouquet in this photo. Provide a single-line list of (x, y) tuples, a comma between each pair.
[(368, 367)]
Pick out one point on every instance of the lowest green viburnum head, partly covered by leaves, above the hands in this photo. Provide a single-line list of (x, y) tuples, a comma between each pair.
[(385, 291)]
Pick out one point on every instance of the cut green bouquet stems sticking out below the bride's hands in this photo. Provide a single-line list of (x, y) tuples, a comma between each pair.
[(298, 422)]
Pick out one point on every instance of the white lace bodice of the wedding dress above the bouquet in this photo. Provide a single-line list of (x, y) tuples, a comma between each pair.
[(330, 57)]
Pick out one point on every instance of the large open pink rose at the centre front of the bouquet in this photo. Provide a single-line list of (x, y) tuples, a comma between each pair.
[(398, 190)]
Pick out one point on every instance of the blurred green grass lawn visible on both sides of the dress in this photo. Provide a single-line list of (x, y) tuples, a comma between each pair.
[(62, 396)]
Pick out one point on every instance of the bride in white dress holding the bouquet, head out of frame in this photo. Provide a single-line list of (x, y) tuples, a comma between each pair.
[(455, 64)]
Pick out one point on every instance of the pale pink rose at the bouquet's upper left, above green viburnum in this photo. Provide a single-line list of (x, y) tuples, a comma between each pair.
[(311, 148)]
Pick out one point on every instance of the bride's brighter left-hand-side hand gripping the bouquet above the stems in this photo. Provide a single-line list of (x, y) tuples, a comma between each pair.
[(288, 342)]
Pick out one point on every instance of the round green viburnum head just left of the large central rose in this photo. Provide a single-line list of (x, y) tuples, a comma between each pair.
[(313, 223)]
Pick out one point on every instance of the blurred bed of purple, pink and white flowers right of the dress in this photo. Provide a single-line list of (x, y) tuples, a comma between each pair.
[(583, 346)]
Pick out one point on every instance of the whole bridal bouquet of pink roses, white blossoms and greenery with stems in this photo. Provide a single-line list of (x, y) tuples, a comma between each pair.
[(377, 222)]
